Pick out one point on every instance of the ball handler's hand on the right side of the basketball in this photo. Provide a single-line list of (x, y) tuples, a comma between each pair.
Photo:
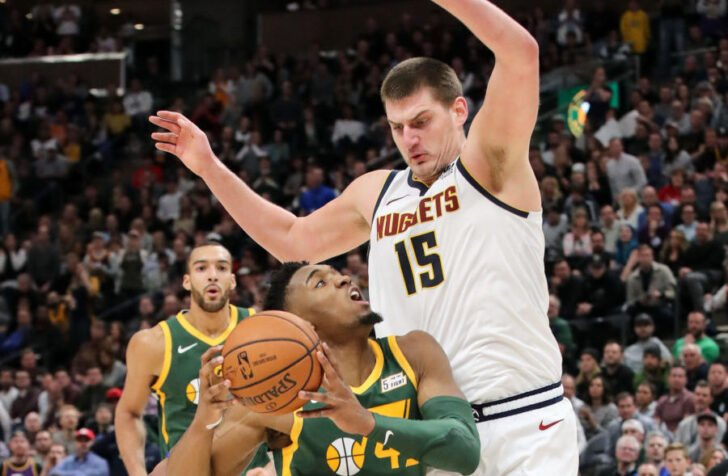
[(342, 406)]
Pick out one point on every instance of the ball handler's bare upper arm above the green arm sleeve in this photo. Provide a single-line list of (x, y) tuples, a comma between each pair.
[(431, 366)]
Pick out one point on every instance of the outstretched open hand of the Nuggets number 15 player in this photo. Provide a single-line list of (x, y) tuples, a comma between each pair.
[(183, 139)]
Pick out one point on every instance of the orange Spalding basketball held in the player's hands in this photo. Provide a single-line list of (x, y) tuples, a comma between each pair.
[(268, 358)]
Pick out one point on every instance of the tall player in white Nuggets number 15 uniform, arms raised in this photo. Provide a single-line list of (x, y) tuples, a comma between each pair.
[(456, 241)]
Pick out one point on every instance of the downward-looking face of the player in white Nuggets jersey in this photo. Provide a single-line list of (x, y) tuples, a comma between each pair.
[(428, 134)]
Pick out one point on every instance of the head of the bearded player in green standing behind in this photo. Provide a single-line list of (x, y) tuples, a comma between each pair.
[(210, 278)]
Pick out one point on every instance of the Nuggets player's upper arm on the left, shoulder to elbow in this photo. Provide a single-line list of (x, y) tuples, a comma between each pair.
[(343, 223)]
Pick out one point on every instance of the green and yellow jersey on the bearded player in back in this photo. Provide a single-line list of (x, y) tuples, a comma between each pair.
[(178, 384)]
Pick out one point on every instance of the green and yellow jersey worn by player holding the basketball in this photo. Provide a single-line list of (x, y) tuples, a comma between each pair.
[(320, 448)]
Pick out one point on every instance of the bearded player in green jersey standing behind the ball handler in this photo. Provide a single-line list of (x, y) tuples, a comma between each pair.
[(166, 358)]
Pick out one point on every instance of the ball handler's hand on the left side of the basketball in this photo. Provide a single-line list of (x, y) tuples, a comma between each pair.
[(213, 390)]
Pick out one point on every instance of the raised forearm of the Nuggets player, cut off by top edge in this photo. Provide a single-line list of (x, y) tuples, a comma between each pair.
[(503, 35)]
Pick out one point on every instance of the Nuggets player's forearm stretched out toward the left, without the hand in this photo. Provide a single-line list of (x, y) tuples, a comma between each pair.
[(268, 224)]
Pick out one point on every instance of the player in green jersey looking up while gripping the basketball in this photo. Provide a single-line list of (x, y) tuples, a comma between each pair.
[(391, 406)]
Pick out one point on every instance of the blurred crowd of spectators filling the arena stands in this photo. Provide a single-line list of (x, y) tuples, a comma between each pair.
[(96, 224)]
